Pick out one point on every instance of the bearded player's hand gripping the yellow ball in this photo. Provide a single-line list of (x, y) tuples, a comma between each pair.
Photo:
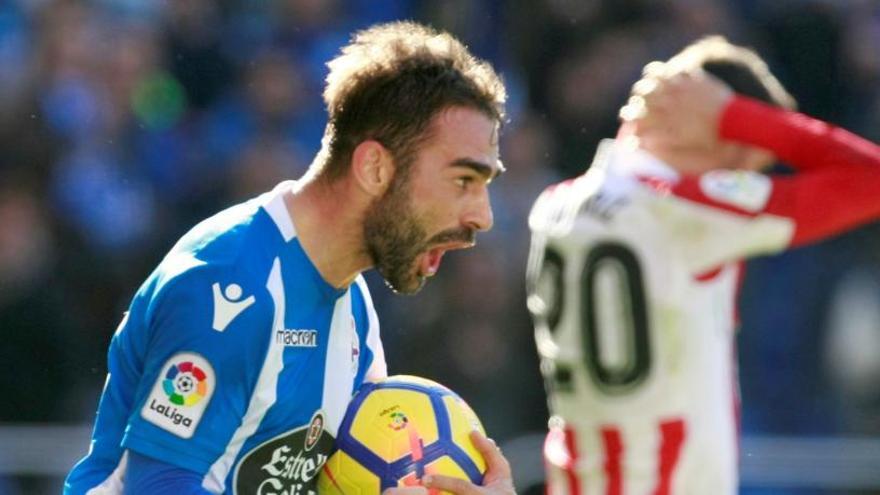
[(496, 481)]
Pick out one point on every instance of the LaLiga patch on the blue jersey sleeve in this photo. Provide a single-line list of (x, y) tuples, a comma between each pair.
[(180, 395)]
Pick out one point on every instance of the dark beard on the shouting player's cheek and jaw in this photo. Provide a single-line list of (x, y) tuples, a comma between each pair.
[(395, 237)]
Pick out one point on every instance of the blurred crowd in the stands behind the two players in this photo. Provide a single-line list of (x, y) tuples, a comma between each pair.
[(124, 122)]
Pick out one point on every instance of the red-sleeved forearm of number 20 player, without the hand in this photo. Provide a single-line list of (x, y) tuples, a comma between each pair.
[(797, 139)]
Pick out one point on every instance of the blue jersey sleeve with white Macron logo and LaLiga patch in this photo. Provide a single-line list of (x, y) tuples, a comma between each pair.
[(202, 352)]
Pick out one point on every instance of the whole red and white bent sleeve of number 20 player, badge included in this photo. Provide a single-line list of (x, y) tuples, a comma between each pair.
[(725, 215)]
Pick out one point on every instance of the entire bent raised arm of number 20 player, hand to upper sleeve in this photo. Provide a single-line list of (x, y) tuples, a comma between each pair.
[(838, 176)]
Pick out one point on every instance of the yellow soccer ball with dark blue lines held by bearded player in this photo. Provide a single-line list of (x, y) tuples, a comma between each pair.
[(398, 430)]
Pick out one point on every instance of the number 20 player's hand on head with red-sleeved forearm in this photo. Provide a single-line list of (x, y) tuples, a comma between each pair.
[(696, 109)]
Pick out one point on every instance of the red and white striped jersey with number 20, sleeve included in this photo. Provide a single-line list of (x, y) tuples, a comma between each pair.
[(633, 274)]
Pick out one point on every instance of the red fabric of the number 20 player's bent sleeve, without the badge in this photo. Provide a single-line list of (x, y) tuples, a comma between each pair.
[(837, 187)]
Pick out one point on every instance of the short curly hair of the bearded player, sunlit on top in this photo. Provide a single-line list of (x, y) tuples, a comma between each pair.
[(389, 82)]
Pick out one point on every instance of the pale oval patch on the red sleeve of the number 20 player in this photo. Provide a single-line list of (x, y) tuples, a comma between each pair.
[(748, 191)]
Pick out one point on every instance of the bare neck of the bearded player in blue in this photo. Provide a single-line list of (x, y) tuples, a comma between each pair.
[(329, 223)]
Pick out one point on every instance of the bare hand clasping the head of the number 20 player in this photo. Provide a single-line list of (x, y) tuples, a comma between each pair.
[(676, 110)]
